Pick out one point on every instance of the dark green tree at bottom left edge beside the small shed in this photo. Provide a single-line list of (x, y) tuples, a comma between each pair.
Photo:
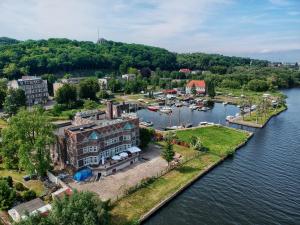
[(7, 195)]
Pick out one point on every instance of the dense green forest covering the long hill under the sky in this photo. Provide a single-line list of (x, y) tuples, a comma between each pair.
[(36, 57)]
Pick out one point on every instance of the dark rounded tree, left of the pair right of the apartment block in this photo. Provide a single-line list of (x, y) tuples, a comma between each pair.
[(67, 94)]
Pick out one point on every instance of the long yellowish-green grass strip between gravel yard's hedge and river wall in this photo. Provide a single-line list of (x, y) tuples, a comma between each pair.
[(133, 206)]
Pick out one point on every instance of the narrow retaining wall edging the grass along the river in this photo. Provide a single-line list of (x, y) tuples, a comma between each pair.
[(202, 173)]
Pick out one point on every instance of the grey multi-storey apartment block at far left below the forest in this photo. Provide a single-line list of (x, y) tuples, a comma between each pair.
[(35, 88)]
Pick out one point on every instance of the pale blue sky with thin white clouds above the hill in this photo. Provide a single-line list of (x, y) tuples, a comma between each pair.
[(261, 28)]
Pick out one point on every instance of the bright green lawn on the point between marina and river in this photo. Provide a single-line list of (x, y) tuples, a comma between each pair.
[(219, 140)]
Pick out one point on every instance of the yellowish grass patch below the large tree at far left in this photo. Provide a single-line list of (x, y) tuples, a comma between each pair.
[(35, 185)]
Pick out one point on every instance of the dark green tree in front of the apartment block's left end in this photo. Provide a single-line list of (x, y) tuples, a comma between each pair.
[(14, 100)]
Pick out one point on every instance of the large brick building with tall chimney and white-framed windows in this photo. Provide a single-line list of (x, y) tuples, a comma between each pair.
[(94, 142)]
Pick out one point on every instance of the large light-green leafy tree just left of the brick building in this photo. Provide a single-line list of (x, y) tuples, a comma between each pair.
[(32, 133)]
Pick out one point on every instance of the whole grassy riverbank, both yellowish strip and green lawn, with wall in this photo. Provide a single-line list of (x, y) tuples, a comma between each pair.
[(143, 202)]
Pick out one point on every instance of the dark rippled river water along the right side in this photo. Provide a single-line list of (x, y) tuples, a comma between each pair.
[(259, 185)]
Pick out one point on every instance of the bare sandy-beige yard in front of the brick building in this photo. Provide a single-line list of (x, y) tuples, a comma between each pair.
[(114, 185)]
